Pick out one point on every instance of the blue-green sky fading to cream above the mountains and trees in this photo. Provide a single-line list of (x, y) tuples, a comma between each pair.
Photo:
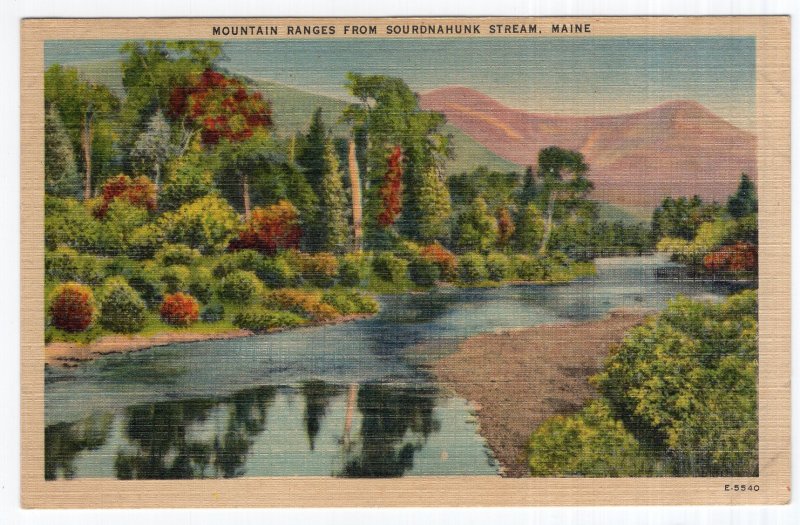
[(571, 76)]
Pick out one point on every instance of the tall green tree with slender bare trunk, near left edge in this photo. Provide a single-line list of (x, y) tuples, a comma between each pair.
[(84, 108)]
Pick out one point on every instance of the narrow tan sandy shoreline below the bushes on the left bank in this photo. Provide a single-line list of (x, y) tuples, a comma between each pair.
[(69, 355)]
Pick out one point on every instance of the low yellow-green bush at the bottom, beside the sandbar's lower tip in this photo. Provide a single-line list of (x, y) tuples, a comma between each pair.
[(591, 443)]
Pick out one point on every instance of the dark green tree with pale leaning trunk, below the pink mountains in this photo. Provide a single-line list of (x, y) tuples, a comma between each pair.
[(554, 165)]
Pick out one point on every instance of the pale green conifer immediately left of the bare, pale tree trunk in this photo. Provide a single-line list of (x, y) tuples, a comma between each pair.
[(332, 218)]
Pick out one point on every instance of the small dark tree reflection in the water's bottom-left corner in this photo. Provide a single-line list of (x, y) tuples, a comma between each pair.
[(64, 441)]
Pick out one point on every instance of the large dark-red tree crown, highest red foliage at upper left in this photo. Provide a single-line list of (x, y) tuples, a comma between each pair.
[(221, 106)]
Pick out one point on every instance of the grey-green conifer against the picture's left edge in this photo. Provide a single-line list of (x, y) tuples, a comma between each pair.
[(61, 175)]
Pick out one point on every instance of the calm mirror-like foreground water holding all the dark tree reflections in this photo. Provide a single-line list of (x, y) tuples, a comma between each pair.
[(367, 430)]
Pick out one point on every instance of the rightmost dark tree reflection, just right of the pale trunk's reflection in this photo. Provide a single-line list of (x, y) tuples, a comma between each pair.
[(389, 413)]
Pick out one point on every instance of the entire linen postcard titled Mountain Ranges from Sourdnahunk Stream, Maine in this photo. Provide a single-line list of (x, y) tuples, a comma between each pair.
[(405, 262)]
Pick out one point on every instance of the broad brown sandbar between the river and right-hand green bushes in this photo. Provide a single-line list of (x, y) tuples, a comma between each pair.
[(517, 379)]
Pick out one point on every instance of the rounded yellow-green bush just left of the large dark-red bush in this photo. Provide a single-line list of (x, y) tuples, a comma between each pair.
[(207, 224)]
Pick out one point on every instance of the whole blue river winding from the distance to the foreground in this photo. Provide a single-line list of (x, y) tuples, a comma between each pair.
[(339, 400)]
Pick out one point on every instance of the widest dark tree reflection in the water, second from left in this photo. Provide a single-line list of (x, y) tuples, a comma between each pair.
[(166, 450)]
